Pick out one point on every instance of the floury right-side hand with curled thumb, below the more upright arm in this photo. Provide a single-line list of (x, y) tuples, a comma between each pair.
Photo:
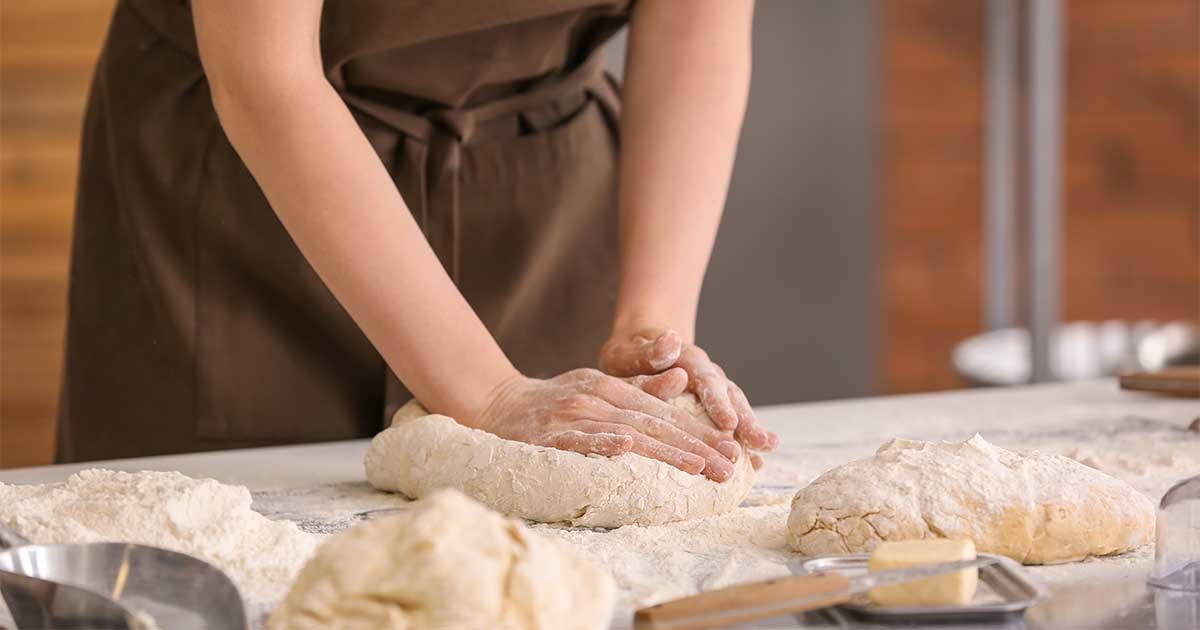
[(651, 351)]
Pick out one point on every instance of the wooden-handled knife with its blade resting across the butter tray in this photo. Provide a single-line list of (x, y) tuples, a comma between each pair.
[(783, 596)]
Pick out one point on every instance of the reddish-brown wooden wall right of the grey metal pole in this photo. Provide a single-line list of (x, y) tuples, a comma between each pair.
[(1133, 160)]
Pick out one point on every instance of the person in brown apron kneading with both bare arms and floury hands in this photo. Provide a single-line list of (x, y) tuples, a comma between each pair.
[(295, 218)]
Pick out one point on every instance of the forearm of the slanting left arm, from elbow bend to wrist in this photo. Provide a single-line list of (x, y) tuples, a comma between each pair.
[(340, 206)]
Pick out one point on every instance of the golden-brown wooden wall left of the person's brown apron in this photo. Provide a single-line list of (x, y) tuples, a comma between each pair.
[(47, 53)]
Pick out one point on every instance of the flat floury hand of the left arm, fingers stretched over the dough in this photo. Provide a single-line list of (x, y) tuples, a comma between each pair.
[(589, 412)]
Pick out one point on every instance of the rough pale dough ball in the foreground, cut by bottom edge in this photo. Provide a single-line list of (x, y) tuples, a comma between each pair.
[(448, 562)]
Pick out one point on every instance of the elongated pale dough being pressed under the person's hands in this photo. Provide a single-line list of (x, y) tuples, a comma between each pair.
[(423, 453)]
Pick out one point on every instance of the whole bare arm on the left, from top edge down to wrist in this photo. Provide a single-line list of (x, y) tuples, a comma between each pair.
[(338, 202)]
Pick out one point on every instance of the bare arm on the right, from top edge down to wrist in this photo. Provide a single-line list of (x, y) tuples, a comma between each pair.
[(687, 80)]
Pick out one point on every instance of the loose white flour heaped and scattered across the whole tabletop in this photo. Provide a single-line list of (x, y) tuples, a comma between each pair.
[(651, 565)]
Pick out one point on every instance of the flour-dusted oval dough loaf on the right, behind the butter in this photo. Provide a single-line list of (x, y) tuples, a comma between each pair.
[(1036, 509)]
